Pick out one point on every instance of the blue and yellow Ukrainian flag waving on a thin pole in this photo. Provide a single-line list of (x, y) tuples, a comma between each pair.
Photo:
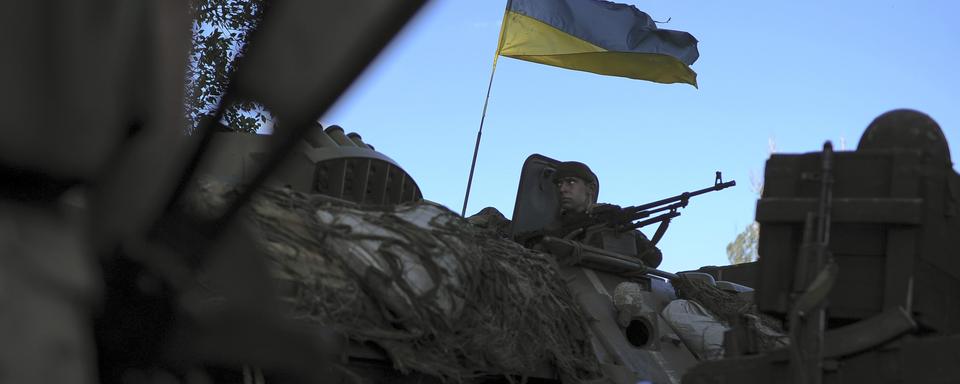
[(597, 36)]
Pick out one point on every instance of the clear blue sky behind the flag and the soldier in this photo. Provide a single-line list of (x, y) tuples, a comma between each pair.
[(794, 73)]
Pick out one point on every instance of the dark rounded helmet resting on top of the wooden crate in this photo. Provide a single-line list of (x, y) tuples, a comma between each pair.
[(906, 129)]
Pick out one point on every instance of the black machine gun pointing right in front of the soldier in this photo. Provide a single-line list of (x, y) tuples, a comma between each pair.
[(638, 216)]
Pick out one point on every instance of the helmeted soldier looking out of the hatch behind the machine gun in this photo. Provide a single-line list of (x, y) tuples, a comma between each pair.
[(577, 188)]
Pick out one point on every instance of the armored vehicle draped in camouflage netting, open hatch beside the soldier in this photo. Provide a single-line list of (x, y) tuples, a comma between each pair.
[(608, 324)]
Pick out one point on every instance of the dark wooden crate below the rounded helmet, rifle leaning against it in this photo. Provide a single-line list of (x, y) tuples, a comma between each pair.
[(894, 235)]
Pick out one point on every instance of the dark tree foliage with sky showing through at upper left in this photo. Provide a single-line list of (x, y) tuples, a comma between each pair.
[(221, 29)]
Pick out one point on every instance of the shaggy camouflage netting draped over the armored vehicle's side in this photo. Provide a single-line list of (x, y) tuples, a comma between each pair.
[(439, 295)]
